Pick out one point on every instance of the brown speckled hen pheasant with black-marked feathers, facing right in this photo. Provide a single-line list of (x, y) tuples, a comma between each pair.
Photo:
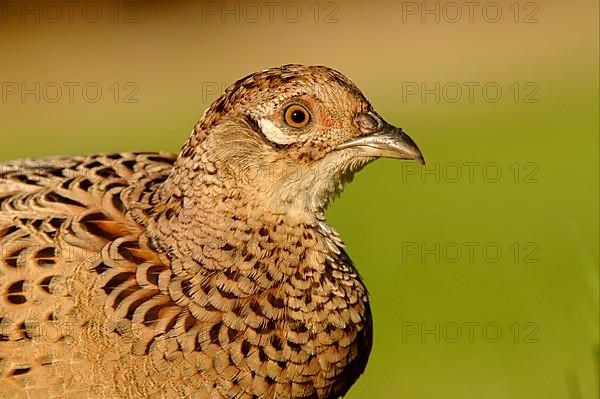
[(212, 274)]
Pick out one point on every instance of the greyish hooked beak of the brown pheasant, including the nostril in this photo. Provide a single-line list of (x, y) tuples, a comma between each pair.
[(382, 140)]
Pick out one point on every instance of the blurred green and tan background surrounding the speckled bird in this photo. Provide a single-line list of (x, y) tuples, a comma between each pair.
[(159, 65)]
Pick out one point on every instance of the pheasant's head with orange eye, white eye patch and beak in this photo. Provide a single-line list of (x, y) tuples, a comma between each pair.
[(290, 137)]
